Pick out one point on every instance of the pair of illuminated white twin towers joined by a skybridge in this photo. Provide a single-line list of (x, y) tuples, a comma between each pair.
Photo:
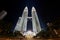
[(23, 22)]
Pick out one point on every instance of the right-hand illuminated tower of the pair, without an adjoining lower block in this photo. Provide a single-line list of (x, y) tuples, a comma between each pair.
[(35, 21)]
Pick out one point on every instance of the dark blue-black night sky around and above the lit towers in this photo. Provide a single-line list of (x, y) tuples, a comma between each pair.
[(47, 10)]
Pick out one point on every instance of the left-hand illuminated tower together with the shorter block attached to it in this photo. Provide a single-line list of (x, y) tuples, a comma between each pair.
[(22, 22)]
